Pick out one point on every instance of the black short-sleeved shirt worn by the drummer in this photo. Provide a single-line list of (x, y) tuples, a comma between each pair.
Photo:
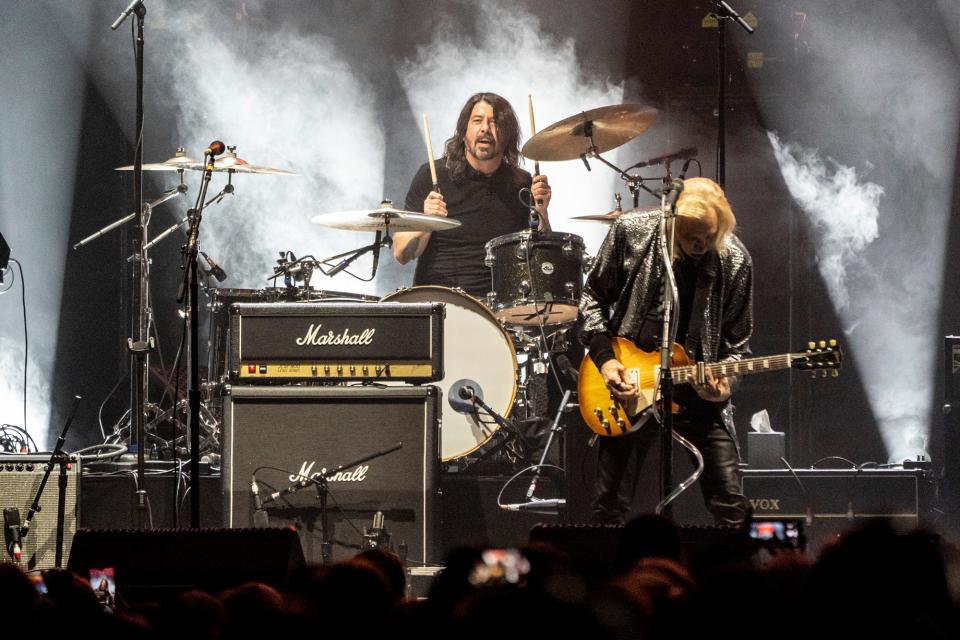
[(486, 206)]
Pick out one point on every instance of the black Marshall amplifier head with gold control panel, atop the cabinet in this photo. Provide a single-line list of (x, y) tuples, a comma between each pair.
[(334, 342)]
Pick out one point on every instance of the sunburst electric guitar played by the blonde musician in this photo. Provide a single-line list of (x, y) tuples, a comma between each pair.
[(608, 415)]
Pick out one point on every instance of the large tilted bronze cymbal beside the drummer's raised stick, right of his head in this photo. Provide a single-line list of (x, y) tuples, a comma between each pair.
[(608, 127)]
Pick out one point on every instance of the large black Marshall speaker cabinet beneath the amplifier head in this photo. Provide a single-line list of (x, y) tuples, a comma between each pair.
[(283, 434)]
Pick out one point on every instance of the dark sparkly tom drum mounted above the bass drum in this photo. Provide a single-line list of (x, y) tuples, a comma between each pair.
[(536, 277)]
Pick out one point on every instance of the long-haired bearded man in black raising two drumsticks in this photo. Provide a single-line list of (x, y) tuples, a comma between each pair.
[(480, 185)]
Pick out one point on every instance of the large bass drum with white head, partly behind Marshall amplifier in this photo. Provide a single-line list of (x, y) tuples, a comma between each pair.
[(475, 348)]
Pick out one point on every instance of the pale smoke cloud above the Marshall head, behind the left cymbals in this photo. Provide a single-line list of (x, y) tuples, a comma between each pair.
[(286, 100)]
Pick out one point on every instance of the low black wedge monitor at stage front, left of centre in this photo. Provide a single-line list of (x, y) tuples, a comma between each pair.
[(156, 565)]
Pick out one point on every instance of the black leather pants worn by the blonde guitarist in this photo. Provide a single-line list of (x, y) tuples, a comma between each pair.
[(620, 460)]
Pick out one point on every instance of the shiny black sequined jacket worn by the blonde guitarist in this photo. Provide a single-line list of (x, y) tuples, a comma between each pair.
[(624, 284)]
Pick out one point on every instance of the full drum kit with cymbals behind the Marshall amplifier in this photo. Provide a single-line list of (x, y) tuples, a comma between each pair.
[(503, 343)]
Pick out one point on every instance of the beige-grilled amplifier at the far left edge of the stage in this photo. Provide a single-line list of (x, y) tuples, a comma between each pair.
[(20, 477)]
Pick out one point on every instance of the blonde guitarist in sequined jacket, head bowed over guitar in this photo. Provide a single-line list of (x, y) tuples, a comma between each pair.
[(622, 298)]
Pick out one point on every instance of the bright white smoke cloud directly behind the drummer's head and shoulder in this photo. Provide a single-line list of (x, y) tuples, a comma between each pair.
[(512, 55)]
